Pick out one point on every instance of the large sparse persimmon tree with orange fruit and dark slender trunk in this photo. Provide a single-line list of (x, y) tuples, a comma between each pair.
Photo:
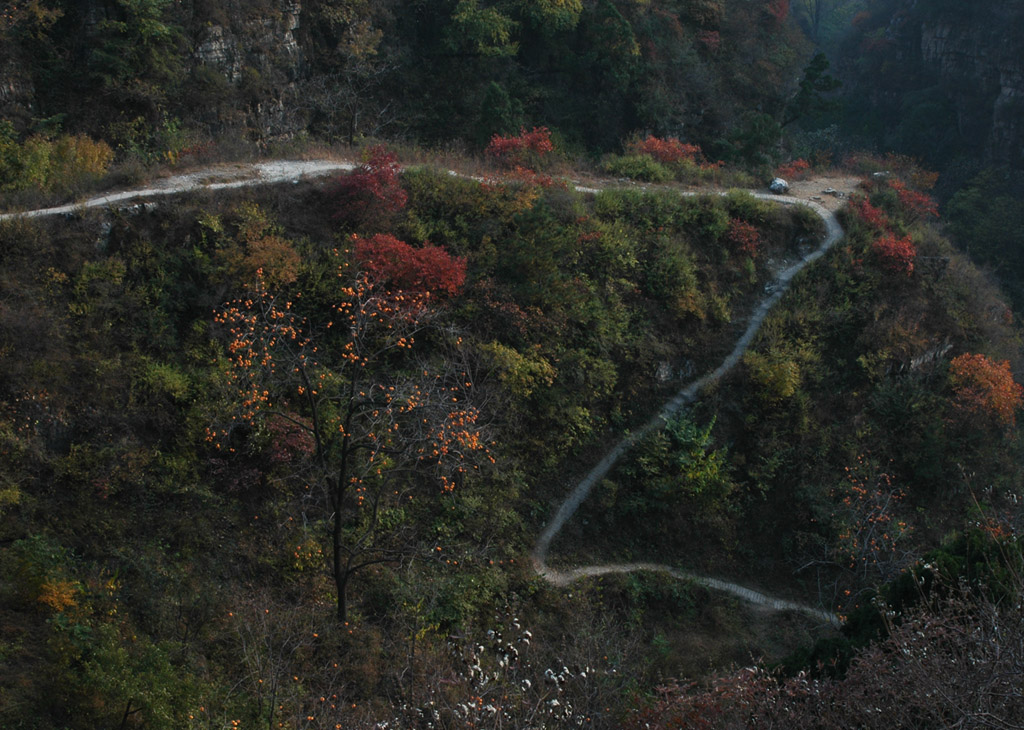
[(387, 421)]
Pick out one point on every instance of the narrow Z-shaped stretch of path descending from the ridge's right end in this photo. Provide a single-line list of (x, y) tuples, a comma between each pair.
[(834, 232)]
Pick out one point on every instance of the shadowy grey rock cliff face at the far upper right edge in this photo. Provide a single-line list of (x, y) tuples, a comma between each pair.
[(980, 63)]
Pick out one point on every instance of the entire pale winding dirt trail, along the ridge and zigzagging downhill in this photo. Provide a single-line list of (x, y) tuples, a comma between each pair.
[(244, 176)]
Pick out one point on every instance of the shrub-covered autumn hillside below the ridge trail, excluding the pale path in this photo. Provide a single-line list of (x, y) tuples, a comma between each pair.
[(167, 517)]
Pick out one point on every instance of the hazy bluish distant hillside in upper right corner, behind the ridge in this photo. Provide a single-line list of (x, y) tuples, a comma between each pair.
[(942, 80)]
